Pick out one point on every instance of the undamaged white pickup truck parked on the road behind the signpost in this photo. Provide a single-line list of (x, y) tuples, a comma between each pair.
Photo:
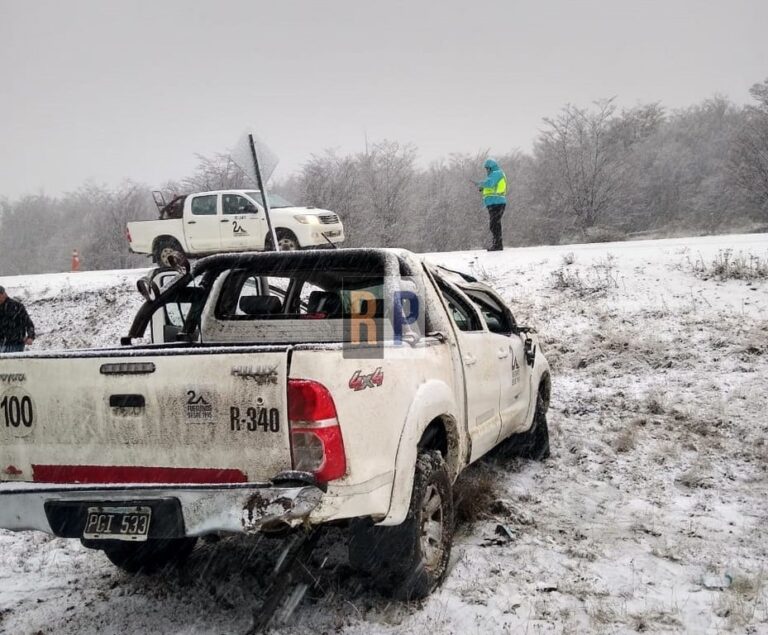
[(228, 221)]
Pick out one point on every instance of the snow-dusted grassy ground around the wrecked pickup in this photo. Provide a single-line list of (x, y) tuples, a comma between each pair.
[(650, 516)]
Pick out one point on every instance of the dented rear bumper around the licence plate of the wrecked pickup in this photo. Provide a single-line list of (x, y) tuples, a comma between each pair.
[(238, 508)]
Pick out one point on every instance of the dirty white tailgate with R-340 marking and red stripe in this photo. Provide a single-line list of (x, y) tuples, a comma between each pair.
[(196, 416)]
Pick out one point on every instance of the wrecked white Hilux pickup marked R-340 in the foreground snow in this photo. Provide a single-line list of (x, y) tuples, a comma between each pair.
[(279, 391)]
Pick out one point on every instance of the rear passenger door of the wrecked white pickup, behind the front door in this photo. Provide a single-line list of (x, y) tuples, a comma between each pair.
[(481, 374)]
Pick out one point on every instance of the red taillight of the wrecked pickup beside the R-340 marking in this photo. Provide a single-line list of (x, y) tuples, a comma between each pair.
[(316, 442)]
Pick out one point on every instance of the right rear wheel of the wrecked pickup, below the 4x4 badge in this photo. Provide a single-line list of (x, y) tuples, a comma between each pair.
[(409, 561)]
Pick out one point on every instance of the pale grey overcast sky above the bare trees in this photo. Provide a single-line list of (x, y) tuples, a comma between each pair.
[(105, 91)]
